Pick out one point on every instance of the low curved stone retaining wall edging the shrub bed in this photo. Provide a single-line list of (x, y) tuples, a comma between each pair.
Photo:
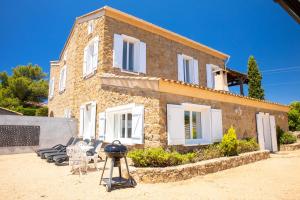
[(182, 172)]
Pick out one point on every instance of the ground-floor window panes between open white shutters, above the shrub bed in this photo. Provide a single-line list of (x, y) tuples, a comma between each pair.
[(192, 125)]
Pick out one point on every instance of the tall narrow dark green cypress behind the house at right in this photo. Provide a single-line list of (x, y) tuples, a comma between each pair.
[(255, 89)]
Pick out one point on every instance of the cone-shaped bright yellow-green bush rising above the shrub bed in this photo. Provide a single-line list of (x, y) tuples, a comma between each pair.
[(229, 143)]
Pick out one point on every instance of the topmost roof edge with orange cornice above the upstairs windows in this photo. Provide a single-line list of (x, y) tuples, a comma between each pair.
[(124, 17)]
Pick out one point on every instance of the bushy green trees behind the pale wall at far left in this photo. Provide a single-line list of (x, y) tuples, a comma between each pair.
[(24, 89)]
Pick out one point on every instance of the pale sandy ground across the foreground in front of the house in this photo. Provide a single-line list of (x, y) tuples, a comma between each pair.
[(25, 176)]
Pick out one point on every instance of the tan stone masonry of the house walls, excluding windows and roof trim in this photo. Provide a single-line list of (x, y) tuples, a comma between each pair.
[(161, 62)]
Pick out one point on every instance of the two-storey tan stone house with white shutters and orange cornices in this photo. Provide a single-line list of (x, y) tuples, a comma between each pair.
[(127, 79)]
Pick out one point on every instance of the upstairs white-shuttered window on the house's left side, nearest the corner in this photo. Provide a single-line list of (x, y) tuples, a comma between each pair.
[(92, 70)]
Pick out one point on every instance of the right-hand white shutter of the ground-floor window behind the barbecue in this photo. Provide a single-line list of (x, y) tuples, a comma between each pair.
[(138, 124)]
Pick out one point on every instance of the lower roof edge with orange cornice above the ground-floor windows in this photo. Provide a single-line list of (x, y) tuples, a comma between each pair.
[(186, 89)]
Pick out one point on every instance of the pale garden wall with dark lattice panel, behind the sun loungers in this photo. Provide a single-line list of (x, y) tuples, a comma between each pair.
[(51, 131)]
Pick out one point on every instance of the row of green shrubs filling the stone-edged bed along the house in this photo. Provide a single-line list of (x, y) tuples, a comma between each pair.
[(158, 157)]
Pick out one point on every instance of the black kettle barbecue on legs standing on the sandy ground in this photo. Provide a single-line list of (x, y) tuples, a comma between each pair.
[(115, 151)]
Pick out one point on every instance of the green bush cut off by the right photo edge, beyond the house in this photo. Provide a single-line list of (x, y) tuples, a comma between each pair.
[(294, 116)]
